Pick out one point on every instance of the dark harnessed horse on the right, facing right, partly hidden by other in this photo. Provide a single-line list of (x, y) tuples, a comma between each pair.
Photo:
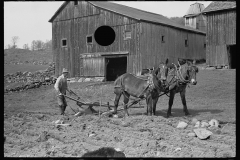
[(177, 80)]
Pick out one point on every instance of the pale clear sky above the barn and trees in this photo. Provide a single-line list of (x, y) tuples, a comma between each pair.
[(29, 20)]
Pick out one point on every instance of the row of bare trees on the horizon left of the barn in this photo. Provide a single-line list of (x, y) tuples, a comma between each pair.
[(36, 45)]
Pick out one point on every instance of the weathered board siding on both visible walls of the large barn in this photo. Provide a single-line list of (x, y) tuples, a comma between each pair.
[(145, 48)]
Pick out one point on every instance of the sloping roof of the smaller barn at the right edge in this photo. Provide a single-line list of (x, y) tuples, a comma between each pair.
[(220, 5)]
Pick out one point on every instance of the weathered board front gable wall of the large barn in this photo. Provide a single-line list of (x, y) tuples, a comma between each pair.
[(75, 23)]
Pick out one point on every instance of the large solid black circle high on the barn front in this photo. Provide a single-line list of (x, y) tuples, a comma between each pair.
[(104, 35)]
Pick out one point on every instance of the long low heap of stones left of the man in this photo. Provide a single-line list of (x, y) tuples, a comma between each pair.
[(30, 80)]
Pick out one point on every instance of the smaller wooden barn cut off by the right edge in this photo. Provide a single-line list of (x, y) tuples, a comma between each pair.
[(221, 34)]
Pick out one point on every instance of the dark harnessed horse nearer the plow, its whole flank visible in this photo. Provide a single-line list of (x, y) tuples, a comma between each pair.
[(140, 87)]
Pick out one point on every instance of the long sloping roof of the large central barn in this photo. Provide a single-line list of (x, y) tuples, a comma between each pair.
[(133, 13)]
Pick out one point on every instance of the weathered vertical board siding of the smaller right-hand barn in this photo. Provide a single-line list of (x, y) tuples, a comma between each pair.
[(221, 31)]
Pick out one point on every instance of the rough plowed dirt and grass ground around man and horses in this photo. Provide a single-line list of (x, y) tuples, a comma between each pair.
[(30, 131)]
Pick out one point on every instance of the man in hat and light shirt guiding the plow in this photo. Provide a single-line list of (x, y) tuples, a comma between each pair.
[(61, 87)]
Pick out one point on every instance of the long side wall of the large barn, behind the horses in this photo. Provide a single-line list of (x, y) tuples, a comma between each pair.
[(153, 51)]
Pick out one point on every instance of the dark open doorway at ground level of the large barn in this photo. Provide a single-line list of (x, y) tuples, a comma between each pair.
[(115, 67)]
